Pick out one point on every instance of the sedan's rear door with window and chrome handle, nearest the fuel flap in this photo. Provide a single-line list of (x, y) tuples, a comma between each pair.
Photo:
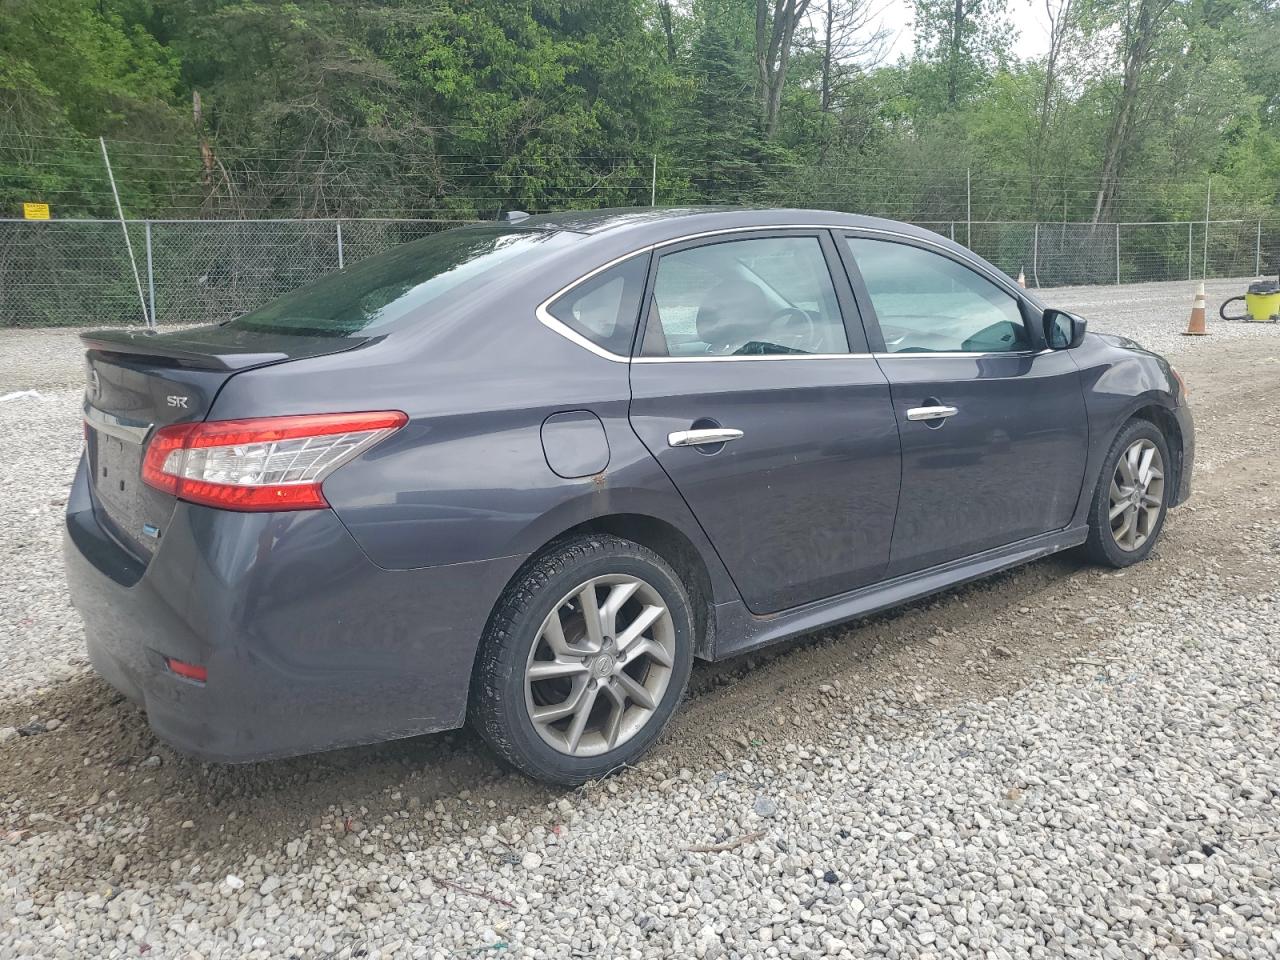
[(767, 412)]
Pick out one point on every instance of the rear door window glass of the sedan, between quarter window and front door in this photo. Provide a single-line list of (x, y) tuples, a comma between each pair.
[(764, 296)]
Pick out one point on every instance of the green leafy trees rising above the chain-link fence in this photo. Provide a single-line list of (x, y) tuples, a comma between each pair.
[(467, 108)]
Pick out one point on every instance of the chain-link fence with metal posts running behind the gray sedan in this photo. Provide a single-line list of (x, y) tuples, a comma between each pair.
[(65, 273)]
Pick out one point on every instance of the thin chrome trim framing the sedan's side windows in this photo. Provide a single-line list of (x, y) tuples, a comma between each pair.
[(551, 323)]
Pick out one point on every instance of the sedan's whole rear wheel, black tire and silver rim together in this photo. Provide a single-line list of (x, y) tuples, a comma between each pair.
[(541, 657)]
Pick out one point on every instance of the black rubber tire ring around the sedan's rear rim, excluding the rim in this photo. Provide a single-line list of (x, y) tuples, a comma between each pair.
[(505, 721)]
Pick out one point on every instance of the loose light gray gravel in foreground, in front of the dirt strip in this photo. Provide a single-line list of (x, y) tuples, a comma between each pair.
[(1127, 808)]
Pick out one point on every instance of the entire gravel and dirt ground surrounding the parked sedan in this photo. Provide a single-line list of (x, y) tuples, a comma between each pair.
[(1057, 762)]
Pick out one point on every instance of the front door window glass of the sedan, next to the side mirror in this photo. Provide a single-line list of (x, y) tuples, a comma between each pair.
[(930, 304)]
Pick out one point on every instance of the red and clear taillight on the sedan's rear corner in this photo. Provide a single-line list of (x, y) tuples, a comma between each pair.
[(262, 465)]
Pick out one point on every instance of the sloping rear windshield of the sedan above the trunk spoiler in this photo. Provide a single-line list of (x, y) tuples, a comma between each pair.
[(376, 294)]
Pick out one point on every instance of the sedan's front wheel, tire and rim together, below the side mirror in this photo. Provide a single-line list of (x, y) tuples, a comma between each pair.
[(1132, 536)]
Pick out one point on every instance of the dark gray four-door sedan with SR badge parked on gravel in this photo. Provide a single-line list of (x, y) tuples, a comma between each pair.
[(525, 473)]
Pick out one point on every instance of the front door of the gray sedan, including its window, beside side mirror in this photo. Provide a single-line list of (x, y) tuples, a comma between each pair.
[(994, 427)]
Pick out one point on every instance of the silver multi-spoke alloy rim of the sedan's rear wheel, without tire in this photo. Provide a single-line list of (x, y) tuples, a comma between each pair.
[(601, 665)]
